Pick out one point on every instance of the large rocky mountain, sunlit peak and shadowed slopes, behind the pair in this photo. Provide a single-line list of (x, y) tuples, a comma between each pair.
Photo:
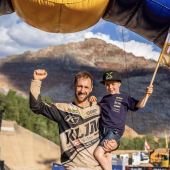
[(64, 61)]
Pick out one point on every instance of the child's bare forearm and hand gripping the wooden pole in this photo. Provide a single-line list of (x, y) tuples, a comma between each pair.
[(143, 100)]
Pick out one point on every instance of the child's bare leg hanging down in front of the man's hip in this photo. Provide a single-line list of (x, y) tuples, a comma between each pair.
[(103, 158)]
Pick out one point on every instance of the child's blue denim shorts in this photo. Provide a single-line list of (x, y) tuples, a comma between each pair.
[(108, 134)]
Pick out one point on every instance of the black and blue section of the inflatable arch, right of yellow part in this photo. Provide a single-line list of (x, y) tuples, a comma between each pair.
[(149, 18)]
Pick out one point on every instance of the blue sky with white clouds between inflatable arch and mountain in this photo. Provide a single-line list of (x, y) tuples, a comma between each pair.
[(18, 37)]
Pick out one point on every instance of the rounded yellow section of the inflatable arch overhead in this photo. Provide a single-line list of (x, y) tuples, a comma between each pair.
[(62, 16)]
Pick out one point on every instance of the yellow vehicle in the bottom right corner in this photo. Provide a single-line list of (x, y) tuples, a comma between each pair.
[(160, 157)]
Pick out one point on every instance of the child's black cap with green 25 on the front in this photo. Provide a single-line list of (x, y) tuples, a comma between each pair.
[(111, 76)]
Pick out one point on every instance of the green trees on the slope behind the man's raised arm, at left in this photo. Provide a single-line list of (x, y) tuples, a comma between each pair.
[(16, 108)]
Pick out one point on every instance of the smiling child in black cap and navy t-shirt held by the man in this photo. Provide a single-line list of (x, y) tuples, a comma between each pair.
[(114, 108)]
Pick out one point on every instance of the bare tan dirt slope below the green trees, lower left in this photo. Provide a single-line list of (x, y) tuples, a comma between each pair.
[(22, 149)]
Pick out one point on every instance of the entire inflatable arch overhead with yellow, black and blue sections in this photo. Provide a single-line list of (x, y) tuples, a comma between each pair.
[(148, 18)]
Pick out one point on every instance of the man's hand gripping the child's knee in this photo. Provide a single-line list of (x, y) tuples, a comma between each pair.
[(110, 145)]
